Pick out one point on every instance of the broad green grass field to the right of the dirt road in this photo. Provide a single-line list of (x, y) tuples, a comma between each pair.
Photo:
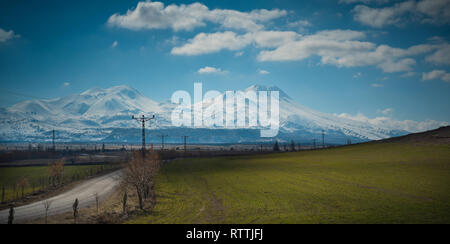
[(368, 183)]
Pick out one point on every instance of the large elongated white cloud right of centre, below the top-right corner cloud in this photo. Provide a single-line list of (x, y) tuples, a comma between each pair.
[(345, 48)]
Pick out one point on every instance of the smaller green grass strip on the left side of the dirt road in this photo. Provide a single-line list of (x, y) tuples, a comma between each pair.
[(11, 176)]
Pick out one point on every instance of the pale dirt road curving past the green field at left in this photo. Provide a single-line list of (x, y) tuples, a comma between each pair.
[(103, 186)]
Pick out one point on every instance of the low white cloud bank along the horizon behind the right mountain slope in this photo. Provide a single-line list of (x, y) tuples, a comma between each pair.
[(407, 125)]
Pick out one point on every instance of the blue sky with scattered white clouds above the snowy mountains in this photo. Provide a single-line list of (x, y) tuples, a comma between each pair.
[(370, 58)]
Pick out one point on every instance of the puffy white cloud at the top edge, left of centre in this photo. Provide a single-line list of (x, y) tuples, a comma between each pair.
[(154, 15)]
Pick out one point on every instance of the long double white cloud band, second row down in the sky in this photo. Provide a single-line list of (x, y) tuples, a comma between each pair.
[(342, 48)]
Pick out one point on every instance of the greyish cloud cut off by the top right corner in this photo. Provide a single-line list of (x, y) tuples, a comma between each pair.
[(424, 11)]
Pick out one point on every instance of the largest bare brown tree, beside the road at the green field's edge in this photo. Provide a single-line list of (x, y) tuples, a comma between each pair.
[(139, 174)]
